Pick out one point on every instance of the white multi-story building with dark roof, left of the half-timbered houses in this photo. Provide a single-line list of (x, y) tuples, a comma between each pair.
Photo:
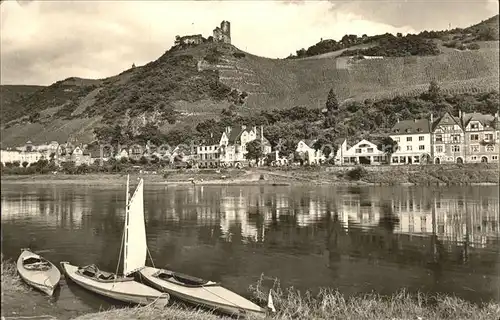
[(414, 142)]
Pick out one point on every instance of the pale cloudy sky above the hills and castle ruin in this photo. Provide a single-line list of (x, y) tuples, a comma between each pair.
[(46, 41)]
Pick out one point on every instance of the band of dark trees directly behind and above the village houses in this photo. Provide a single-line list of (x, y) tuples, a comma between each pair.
[(369, 119)]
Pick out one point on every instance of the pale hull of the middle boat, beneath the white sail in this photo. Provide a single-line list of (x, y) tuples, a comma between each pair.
[(128, 291)]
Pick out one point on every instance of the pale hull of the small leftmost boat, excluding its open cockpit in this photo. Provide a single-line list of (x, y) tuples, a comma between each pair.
[(45, 281)]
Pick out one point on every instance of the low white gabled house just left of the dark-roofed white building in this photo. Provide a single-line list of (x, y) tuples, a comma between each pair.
[(363, 152)]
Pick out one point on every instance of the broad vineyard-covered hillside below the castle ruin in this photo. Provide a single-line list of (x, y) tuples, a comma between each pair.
[(192, 83)]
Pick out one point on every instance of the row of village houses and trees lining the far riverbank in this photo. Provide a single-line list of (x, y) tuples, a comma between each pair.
[(462, 138)]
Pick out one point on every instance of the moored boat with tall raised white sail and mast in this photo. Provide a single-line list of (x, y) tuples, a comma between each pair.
[(123, 287)]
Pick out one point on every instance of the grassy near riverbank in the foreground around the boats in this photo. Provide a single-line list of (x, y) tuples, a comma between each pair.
[(289, 304)]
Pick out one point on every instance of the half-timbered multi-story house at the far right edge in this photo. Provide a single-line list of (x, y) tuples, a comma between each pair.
[(482, 137)]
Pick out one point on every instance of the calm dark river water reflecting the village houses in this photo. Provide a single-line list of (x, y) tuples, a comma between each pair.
[(358, 240)]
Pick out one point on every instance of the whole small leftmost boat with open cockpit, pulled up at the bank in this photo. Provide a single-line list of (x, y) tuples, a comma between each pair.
[(38, 272)]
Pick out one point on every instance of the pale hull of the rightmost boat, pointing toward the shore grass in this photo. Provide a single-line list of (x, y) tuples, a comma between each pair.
[(210, 295)]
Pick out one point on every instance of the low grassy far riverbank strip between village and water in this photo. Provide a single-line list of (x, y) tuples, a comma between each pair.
[(467, 174)]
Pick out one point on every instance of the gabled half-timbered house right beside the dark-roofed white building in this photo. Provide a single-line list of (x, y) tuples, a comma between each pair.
[(448, 139)]
